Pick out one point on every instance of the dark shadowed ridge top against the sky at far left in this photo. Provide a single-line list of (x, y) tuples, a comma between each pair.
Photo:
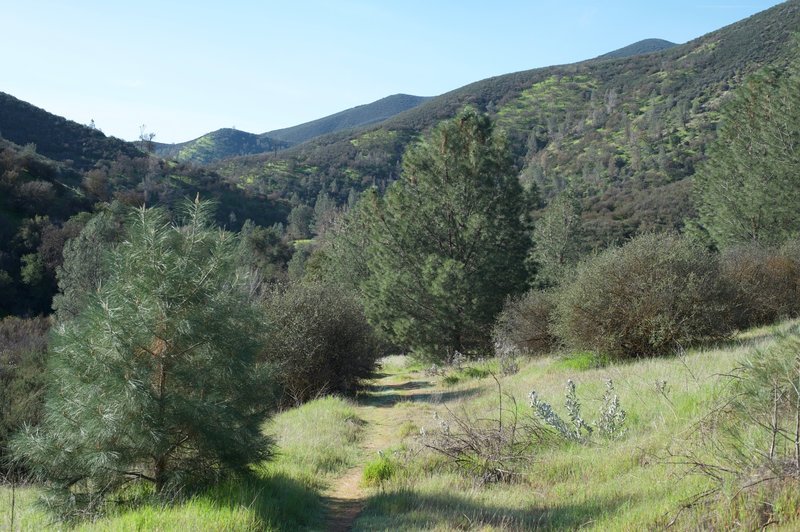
[(57, 138)]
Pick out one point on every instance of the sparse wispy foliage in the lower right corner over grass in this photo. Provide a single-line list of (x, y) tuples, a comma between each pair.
[(749, 443)]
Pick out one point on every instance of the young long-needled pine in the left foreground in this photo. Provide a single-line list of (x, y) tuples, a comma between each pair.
[(156, 380)]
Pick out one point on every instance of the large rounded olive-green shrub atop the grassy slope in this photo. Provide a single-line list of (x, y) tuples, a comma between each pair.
[(654, 294)]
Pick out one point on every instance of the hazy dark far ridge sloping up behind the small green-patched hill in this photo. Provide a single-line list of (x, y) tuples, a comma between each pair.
[(361, 115)]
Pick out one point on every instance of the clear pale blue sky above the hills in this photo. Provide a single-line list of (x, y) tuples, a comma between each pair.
[(187, 68)]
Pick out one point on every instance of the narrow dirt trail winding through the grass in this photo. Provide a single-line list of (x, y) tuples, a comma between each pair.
[(346, 498)]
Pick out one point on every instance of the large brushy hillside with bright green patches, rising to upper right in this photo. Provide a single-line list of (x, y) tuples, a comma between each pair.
[(613, 128)]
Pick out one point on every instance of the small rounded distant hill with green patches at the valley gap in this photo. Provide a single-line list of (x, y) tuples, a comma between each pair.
[(218, 145)]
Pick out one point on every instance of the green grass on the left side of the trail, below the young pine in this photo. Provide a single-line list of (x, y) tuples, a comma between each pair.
[(314, 443)]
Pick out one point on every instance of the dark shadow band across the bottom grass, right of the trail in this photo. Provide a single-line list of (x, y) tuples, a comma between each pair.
[(407, 510)]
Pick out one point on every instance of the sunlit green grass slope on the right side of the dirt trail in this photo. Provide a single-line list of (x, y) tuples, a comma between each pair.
[(629, 484)]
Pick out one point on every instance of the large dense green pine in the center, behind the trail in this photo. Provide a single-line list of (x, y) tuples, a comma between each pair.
[(448, 242)]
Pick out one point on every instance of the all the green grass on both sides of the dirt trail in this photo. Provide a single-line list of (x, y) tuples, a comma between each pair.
[(628, 484)]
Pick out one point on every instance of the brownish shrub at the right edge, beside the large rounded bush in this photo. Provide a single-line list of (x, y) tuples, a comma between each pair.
[(763, 284)]
